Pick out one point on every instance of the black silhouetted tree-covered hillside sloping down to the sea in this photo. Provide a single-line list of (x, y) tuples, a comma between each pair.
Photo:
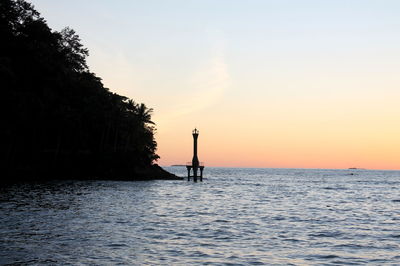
[(59, 120)]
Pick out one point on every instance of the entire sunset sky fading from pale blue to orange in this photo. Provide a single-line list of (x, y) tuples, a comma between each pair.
[(269, 83)]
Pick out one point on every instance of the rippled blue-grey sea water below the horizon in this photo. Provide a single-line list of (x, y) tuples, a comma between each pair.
[(236, 216)]
